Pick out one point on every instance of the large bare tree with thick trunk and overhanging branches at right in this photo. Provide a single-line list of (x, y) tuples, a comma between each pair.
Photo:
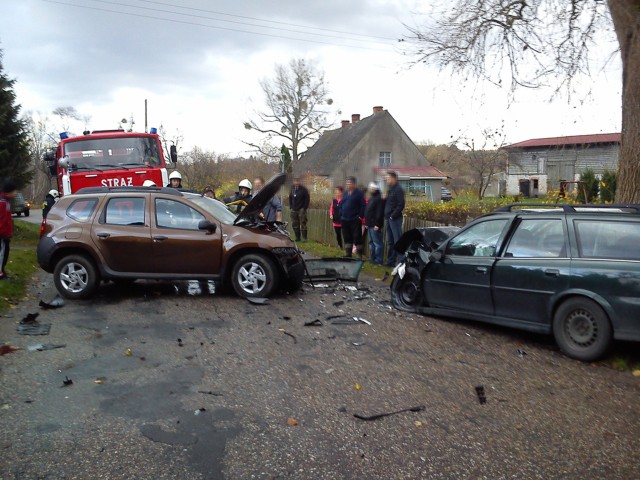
[(540, 43)]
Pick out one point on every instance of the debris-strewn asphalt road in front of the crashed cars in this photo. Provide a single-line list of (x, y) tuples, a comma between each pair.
[(172, 381)]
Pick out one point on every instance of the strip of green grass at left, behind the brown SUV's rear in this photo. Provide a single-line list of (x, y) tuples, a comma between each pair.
[(22, 263)]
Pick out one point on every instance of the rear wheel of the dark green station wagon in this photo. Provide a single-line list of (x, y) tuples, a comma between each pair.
[(581, 329)]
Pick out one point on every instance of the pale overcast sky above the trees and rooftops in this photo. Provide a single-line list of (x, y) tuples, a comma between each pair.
[(199, 64)]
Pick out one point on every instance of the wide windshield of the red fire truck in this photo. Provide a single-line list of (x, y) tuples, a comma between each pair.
[(112, 153)]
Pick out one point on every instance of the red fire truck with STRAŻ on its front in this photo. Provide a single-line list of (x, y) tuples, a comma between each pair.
[(108, 158)]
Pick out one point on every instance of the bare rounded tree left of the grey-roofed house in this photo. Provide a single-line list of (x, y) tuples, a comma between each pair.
[(297, 107)]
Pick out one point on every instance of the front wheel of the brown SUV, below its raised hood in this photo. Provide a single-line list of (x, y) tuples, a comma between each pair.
[(253, 275)]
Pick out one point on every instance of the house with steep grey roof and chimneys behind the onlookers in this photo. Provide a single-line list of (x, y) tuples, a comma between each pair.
[(366, 148)]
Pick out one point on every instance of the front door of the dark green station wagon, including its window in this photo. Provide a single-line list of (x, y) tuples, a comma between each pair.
[(461, 280)]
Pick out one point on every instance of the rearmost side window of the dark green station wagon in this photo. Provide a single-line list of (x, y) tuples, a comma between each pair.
[(608, 239)]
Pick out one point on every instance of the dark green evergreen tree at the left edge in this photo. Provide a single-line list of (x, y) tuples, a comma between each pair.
[(14, 154)]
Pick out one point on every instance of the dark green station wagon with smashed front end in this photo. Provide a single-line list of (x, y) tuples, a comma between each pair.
[(570, 270)]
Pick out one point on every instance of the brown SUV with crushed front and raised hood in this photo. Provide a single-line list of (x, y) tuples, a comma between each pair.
[(162, 233)]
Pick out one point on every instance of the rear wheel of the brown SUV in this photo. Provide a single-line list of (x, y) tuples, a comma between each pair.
[(75, 277)]
